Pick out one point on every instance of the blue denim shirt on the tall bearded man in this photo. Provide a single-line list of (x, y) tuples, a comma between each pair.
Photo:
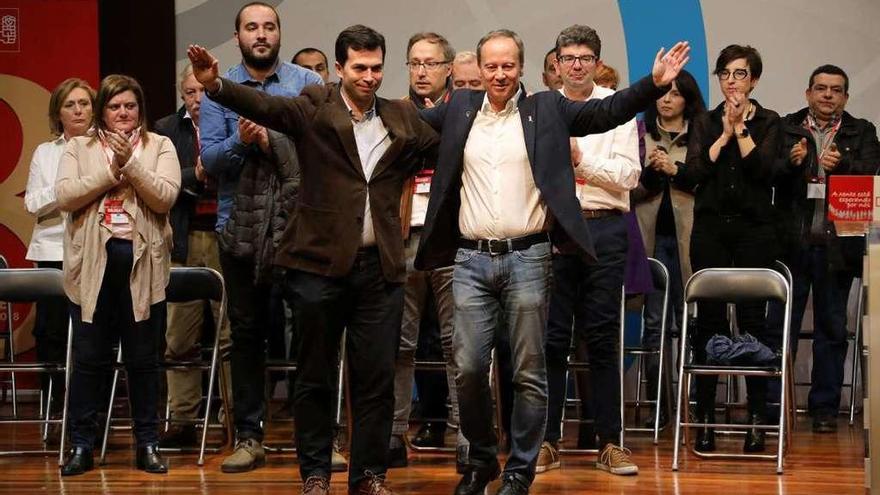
[(223, 153)]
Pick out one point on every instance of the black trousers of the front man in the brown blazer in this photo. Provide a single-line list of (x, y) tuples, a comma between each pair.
[(370, 309)]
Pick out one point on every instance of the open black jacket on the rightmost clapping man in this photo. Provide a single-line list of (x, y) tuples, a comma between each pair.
[(860, 155)]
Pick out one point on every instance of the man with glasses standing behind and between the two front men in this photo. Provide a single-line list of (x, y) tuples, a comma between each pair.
[(428, 59)]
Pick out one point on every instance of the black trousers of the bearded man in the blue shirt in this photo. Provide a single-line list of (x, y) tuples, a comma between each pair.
[(250, 309)]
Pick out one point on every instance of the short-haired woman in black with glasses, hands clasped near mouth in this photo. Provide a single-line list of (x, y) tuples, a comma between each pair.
[(730, 164)]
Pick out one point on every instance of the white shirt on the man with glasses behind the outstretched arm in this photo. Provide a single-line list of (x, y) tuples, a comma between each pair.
[(609, 167)]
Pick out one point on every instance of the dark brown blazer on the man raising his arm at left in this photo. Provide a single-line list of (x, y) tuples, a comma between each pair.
[(324, 233)]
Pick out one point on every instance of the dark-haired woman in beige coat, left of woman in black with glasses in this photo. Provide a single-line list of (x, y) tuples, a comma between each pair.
[(665, 207)]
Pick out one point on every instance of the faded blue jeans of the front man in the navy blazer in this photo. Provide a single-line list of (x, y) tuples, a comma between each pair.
[(516, 286)]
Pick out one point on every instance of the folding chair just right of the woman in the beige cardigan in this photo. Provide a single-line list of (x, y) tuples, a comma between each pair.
[(189, 284)]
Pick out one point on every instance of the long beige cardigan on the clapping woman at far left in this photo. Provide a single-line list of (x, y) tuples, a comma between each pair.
[(84, 178)]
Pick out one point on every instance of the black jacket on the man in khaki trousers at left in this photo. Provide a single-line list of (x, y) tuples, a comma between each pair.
[(181, 132)]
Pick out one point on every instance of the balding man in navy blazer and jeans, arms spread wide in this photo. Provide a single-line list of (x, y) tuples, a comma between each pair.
[(504, 171)]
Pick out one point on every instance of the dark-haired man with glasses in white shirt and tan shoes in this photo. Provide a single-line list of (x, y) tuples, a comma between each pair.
[(606, 168)]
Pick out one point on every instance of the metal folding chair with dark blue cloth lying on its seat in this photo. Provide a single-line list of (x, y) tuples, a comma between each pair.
[(735, 285)]
